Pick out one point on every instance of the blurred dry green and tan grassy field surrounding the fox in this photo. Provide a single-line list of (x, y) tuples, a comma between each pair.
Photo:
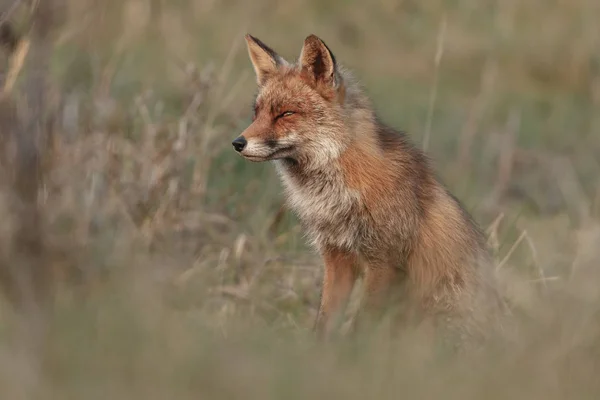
[(181, 276)]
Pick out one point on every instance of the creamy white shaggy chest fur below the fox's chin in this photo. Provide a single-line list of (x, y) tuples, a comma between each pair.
[(327, 208)]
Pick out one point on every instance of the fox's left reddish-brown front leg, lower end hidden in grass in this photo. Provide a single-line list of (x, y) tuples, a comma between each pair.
[(338, 281)]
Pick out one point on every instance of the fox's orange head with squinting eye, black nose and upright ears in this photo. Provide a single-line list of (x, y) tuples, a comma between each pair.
[(299, 106)]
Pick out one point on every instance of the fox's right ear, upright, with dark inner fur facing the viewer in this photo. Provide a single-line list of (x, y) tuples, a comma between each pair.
[(318, 61)]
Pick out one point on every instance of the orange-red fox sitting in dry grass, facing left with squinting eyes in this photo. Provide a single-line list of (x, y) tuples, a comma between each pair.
[(367, 198)]
